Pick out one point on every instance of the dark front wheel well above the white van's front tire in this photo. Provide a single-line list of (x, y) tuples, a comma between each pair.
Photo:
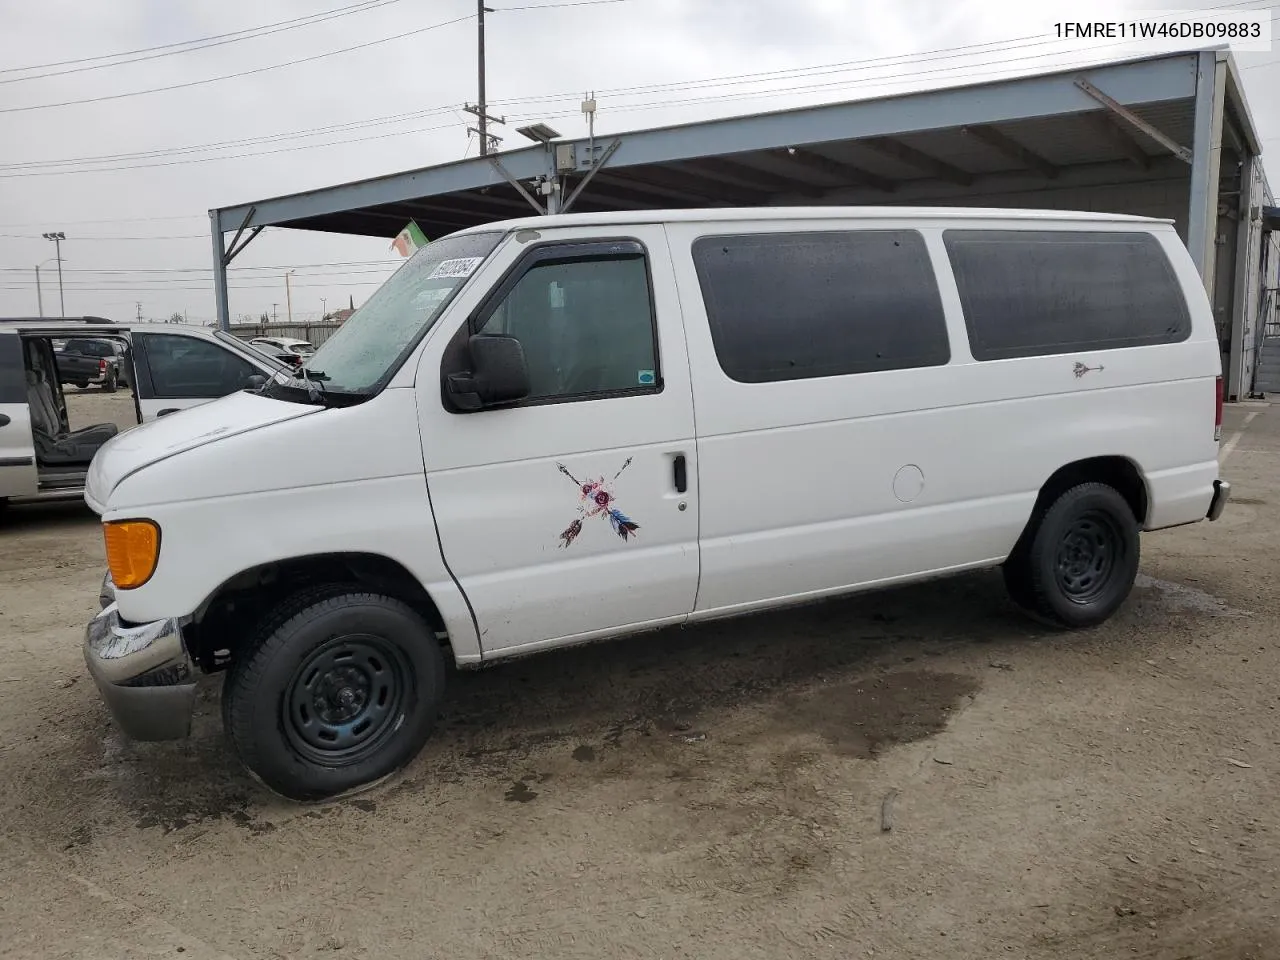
[(226, 621)]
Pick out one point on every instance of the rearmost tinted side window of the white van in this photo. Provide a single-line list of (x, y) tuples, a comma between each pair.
[(1034, 294)]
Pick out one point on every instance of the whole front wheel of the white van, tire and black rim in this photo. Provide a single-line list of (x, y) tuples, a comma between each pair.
[(339, 691)]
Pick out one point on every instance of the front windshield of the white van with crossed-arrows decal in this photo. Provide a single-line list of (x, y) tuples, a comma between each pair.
[(368, 349)]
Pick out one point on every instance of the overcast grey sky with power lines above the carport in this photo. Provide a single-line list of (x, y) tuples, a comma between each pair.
[(130, 179)]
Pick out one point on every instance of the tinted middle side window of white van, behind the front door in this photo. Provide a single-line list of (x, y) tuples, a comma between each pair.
[(787, 307)]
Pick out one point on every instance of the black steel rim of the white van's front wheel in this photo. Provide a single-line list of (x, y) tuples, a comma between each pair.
[(348, 700)]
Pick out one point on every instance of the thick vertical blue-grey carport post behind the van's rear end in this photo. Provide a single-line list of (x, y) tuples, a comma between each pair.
[(1206, 161)]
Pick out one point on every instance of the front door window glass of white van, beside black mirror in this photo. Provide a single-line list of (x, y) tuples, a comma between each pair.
[(586, 323)]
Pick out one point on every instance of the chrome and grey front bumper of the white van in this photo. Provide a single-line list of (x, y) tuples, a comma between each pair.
[(143, 673)]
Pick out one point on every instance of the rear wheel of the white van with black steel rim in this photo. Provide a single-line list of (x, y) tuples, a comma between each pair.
[(1077, 563)]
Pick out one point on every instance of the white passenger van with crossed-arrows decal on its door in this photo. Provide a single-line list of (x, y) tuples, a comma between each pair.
[(557, 429)]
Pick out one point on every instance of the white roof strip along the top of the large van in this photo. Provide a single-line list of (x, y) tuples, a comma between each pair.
[(806, 213)]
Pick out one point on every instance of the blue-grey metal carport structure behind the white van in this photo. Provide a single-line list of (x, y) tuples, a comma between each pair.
[(1164, 136)]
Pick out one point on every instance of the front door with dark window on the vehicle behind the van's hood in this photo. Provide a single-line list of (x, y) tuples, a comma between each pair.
[(176, 372)]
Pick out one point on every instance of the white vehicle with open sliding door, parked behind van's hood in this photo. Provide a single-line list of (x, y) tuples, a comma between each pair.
[(173, 367)]
